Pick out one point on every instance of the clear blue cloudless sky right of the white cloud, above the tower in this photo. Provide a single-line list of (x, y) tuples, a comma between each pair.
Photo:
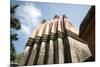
[(74, 12)]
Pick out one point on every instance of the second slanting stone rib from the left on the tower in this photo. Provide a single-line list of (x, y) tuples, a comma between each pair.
[(36, 46)]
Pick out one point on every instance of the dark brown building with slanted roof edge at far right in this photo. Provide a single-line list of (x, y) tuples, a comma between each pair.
[(87, 31)]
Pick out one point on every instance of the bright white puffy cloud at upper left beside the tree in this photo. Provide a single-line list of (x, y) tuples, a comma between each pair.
[(28, 15)]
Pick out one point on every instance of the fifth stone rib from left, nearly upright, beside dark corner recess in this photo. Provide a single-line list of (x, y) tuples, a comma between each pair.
[(60, 42)]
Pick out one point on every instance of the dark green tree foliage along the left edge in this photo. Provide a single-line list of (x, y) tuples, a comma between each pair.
[(15, 24)]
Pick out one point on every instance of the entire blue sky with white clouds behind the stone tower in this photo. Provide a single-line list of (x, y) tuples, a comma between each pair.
[(30, 14)]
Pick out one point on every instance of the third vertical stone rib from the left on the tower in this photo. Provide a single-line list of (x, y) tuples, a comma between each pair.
[(44, 44)]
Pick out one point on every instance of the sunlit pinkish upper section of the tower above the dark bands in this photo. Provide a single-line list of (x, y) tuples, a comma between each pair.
[(59, 23)]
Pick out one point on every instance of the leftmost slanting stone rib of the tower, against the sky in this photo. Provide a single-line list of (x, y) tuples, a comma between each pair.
[(28, 47)]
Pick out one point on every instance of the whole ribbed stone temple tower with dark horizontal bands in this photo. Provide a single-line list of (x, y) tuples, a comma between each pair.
[(55, 42)]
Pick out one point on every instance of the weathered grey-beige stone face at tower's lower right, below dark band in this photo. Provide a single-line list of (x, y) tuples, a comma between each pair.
[(79, 51)]
